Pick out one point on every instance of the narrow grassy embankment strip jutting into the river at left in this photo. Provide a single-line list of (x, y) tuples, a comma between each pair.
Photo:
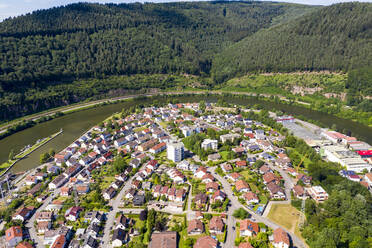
[(10, 163)]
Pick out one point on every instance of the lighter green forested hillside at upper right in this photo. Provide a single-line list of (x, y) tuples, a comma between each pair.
[(338, 37)]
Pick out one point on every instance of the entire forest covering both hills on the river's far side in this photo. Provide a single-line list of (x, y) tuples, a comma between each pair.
[(85, 51)]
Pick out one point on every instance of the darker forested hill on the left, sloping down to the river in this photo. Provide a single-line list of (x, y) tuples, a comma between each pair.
[(43, 52)]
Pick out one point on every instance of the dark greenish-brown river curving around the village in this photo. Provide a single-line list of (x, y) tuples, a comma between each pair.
[(77, 123)]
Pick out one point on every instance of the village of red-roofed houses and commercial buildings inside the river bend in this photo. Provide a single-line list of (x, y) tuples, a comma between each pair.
[(181, 175)]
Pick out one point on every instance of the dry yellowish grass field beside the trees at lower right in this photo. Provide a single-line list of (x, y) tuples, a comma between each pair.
[(287, 216)]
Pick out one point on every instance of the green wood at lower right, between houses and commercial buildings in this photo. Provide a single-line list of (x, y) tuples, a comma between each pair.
[(344, 220)]
